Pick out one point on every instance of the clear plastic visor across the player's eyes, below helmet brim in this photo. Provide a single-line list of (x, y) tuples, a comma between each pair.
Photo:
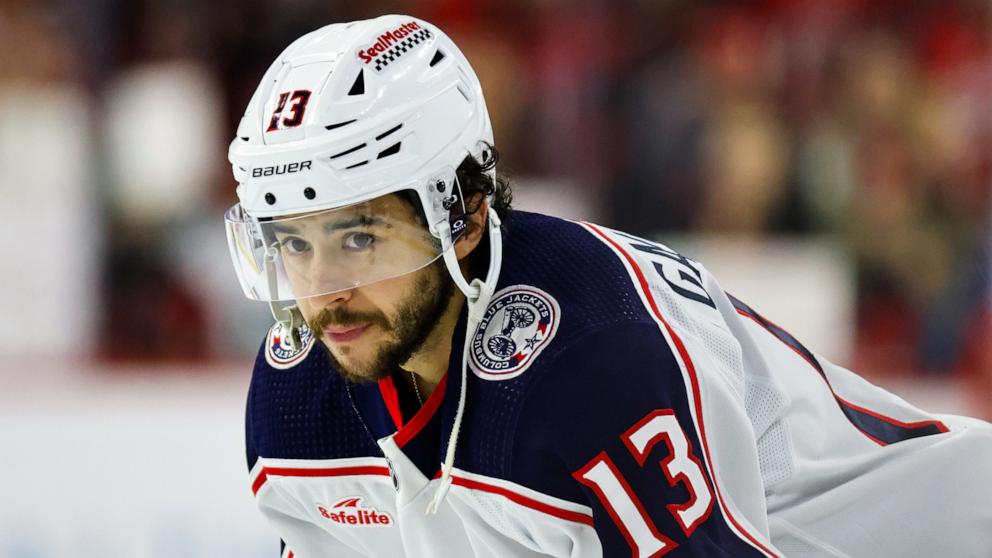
[(328, 251)]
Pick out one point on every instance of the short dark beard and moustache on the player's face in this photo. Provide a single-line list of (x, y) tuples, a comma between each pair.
[(404, 334)]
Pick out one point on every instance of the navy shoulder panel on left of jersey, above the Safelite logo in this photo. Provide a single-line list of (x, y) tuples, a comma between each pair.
[(302, 411)]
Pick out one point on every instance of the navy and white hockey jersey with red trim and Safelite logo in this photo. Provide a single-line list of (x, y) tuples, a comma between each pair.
[(619, 403)]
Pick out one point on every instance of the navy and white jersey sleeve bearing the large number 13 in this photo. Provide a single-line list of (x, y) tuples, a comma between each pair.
[(616, 422)]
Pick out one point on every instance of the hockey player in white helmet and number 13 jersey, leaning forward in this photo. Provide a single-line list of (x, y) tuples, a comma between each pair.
[(451, 378)]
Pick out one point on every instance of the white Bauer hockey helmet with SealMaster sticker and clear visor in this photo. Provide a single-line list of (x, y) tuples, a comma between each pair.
[(346, 115)]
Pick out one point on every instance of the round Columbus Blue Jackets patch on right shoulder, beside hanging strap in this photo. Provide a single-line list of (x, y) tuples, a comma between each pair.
[(519, 322)]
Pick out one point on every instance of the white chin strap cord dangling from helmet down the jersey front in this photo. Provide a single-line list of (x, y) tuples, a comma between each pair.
[(477, 296)]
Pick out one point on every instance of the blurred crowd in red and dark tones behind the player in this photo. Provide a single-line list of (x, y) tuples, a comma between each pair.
[(868, 122)]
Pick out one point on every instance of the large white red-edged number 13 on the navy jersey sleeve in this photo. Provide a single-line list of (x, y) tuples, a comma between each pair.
[(602, 476)]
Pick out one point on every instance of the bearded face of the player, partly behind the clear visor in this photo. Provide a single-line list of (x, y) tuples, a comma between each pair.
[(369, 330)]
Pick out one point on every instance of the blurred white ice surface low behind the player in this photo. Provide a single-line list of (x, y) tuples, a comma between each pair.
[(149, 463)]
